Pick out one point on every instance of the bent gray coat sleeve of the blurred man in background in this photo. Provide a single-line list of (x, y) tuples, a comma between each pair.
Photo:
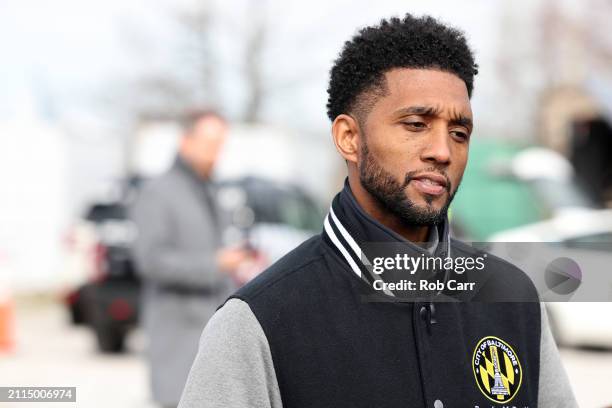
[(157, 257)]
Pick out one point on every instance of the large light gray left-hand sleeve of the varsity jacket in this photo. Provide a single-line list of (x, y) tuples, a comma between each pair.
[(233, 367)]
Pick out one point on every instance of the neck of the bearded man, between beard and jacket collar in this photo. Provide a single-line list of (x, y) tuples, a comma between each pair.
[(374, 209)]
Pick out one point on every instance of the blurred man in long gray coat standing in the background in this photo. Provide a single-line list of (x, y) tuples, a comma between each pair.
[(178, 254)]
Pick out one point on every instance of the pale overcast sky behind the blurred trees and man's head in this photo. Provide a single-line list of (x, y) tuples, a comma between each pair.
[(60, 56)]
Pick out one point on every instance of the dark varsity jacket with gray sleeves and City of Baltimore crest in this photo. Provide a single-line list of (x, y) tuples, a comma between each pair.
[(312, 331)]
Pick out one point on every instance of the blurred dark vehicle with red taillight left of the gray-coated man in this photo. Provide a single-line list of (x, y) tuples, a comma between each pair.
[(104, 295)]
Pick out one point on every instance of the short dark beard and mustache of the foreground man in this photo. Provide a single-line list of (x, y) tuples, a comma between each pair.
[(391, 194)]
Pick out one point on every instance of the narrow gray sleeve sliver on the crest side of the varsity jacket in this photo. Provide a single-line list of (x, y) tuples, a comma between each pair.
[(555, 390)]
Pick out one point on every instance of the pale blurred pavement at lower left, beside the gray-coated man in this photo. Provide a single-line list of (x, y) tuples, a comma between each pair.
[(51, 352)]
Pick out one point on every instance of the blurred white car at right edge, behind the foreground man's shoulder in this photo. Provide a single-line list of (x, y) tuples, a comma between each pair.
[(585, 236)]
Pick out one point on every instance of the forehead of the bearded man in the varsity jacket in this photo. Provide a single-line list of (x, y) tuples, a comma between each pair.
[(424, 87)]
